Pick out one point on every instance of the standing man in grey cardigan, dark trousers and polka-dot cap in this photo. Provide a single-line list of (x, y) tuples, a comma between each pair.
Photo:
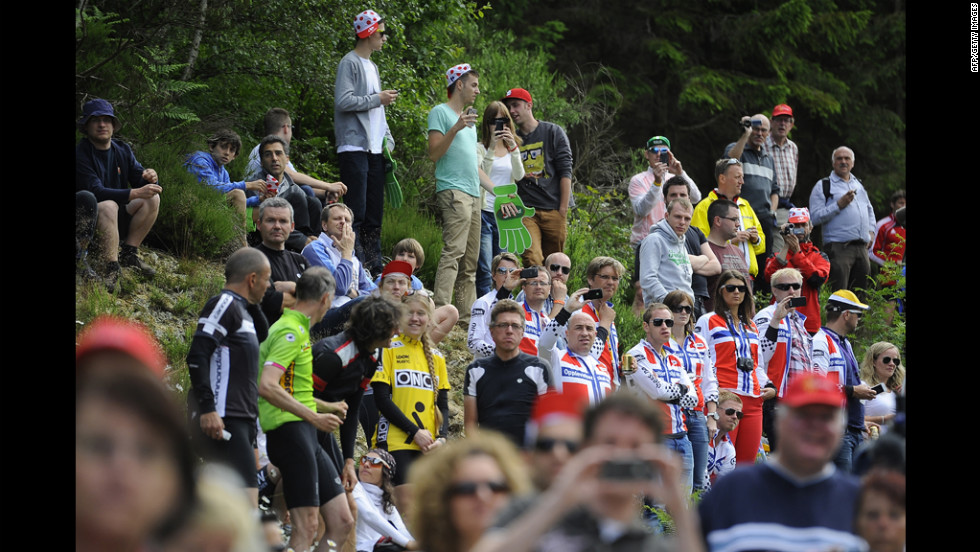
[(361, 129)]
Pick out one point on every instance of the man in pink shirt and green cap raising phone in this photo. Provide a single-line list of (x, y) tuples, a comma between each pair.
[(646, 188)]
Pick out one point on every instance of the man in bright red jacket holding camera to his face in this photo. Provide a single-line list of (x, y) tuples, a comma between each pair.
[(800, 253)]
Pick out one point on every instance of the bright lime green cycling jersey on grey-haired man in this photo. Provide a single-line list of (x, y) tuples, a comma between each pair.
[(288, 348)]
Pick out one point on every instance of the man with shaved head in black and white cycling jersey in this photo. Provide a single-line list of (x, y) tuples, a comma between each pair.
[(223, 366)]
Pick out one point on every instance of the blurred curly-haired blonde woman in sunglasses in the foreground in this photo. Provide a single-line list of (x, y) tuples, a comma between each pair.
[(462, 487)]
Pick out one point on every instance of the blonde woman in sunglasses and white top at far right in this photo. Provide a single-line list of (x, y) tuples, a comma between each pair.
[(882, 365)]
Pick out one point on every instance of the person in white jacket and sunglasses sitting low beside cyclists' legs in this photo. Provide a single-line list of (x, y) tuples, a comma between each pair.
[(377, 515)]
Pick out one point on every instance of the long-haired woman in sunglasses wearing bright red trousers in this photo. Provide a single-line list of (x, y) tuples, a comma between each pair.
[(733, 347)]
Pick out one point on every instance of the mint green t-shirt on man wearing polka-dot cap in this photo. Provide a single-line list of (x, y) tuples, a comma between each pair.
[(458, 168)]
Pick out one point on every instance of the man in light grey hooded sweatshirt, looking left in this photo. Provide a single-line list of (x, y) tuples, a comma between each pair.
[(664, 262)]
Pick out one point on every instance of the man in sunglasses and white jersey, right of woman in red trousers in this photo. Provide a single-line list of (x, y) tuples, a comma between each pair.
[(786, 347)]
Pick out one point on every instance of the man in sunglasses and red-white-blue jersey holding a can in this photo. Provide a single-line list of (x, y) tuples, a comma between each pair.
[(661, 376)]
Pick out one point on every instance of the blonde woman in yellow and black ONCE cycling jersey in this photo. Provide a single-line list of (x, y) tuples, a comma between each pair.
[(411, 391)]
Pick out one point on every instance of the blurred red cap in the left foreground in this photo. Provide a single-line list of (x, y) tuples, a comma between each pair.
[(126, 336)]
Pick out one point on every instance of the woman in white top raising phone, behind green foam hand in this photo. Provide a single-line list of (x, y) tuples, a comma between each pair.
[(500, 158)]
